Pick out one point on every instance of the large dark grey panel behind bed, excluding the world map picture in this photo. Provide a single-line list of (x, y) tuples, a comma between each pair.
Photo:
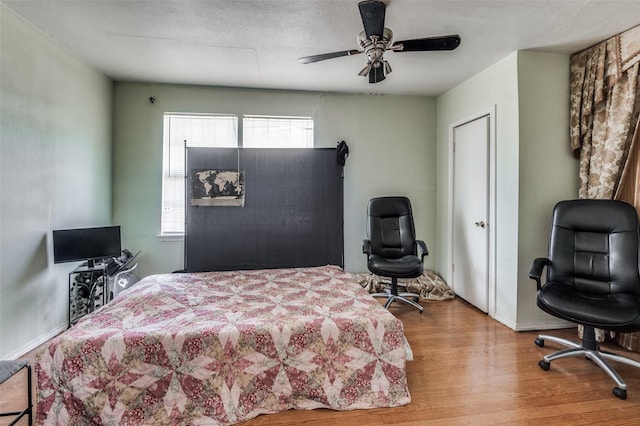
[(292, 214)]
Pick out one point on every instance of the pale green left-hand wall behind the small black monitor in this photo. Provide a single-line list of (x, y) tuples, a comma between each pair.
[(55, 172)]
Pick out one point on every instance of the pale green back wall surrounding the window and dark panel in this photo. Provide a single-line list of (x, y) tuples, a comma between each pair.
[(392, 152)]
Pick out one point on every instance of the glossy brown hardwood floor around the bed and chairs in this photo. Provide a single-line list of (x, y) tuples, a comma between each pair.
[(471, 370)]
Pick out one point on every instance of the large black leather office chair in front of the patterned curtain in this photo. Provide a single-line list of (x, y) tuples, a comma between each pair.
[(592, 278)]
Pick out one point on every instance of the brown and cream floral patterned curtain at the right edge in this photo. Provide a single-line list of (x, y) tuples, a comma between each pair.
[(604, 114)]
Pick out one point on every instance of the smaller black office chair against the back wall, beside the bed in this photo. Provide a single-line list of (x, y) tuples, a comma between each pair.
[(392, 248)]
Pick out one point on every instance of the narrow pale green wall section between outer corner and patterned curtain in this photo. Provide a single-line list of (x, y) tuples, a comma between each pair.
[(548, 172)]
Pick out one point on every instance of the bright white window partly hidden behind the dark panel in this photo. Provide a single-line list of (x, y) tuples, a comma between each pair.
[(221, 131)]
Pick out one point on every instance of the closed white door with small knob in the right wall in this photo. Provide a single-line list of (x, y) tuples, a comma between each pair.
[(470, 236)]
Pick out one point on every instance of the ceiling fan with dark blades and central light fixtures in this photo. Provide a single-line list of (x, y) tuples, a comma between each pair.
[(376, 39)]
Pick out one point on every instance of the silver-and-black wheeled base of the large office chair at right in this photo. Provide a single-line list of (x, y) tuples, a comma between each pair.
[(589, 350)]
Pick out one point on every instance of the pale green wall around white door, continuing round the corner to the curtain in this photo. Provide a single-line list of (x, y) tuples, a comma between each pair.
[(533, 168)]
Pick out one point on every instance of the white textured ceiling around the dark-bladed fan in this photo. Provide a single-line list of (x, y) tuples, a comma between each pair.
[(256, 43)]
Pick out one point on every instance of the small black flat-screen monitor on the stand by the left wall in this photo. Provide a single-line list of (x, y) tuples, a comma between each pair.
[(71, 245)]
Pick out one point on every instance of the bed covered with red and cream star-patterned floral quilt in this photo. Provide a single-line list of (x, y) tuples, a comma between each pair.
[(222, 347)]
